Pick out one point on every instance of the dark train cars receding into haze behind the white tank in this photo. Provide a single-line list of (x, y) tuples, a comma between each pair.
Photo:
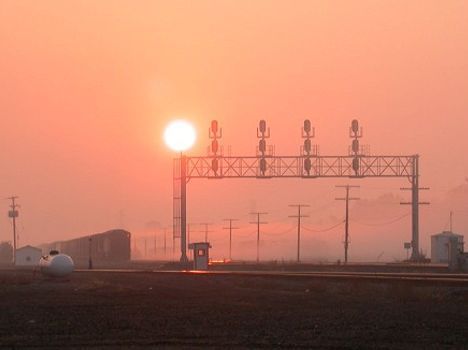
[(107, 248)]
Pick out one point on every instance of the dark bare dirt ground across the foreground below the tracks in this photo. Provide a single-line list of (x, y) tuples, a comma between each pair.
[(107, 310)]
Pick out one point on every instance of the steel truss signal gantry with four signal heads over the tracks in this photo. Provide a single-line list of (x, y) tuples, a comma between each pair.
[(308, 165)]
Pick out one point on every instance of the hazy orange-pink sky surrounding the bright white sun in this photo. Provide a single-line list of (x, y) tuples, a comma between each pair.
[(88, 86)]
